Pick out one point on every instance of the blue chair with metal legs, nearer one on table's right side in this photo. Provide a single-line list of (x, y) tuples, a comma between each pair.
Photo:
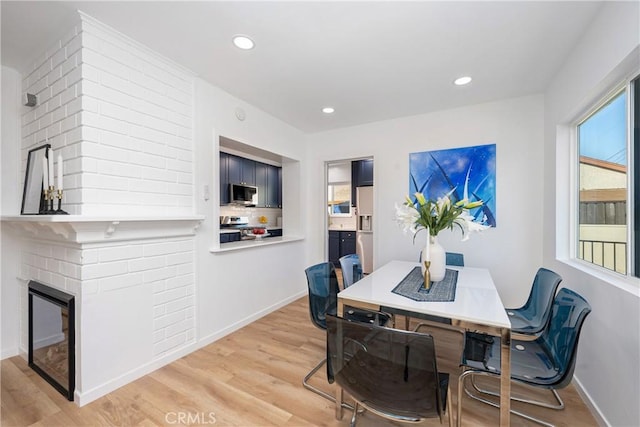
[(547, 362)]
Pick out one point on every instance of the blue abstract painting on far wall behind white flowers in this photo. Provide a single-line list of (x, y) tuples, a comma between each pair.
[(454, 172)]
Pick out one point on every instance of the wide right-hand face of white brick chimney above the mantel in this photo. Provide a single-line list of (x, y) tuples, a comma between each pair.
[(137, 143)]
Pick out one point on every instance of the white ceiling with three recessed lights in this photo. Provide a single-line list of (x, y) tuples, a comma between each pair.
[(369, 60)]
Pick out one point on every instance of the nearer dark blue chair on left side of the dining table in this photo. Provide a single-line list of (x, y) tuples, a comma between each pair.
[(323, 288)]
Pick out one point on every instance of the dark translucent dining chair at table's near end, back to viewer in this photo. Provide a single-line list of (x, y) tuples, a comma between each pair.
[(389, 372)]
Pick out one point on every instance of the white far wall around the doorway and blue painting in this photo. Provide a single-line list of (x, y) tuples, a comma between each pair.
[(514, 125)]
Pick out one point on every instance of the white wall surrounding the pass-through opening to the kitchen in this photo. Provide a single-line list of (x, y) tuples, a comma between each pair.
[(234, 288)]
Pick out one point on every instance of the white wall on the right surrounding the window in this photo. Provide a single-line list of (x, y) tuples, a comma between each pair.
[(607, 367)]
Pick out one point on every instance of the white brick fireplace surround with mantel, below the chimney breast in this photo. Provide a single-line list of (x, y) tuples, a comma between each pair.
[(133, 280)]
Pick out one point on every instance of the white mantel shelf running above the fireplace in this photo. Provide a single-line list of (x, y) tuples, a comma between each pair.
[(92, 229)]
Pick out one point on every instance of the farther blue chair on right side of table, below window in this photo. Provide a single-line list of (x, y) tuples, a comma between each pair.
[(532, 318)]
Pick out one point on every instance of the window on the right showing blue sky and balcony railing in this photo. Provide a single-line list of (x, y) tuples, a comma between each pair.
[(606, 234)]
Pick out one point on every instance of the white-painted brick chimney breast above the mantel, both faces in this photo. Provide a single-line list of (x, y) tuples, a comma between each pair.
[(122, 116)]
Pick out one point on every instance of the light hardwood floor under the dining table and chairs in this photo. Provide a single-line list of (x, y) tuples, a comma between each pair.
[(249, 378)]
